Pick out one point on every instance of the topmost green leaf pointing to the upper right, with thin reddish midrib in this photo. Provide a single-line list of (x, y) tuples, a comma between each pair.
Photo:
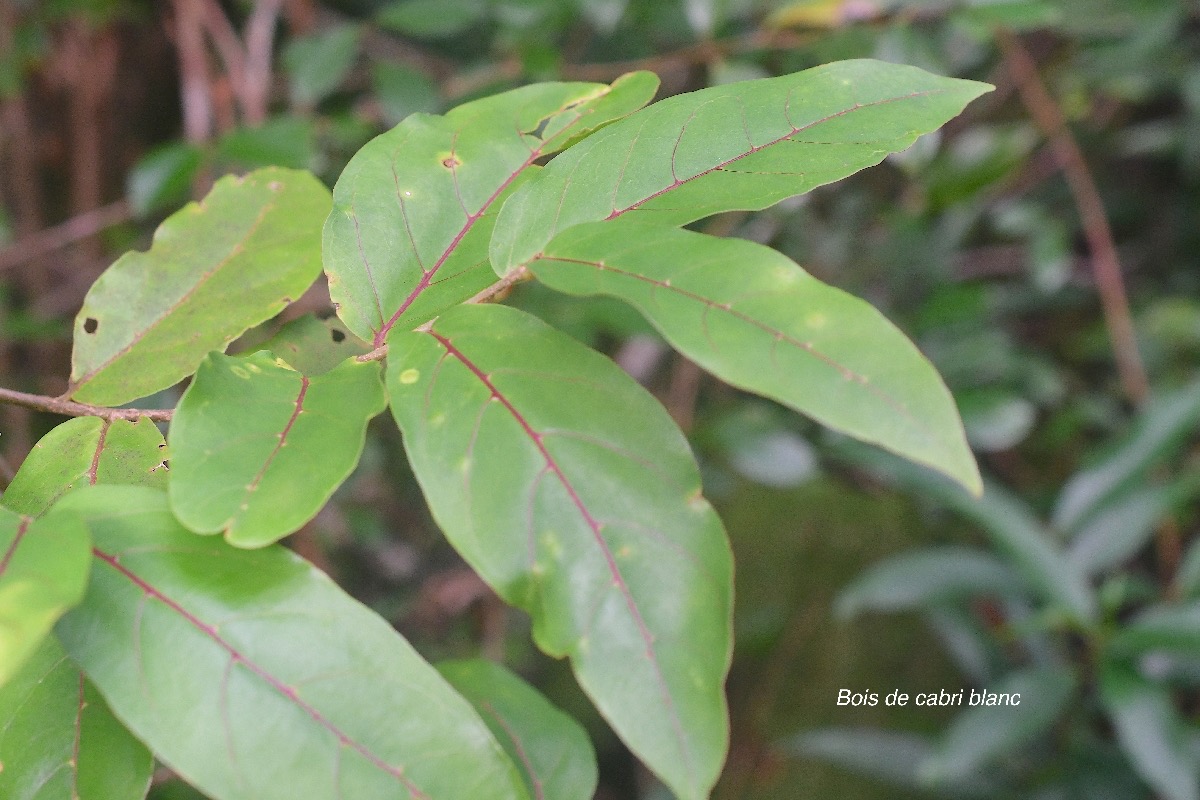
[(743, 146)]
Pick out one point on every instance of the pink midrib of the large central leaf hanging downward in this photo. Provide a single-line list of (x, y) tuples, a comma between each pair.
[(592, 522)]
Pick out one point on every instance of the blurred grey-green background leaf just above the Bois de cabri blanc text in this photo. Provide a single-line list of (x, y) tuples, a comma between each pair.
[(927, 578)]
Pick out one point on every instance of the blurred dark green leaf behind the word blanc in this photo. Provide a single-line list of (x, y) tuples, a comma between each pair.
[(986, 733)]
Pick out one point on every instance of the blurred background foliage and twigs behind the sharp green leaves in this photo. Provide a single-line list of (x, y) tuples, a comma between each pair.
[(1042, 250)]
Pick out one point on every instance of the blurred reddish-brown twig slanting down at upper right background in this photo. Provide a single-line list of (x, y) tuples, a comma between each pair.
[(1106, 263)]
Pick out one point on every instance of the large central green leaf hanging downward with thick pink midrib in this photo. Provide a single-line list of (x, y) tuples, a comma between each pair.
[(573, 494)]
